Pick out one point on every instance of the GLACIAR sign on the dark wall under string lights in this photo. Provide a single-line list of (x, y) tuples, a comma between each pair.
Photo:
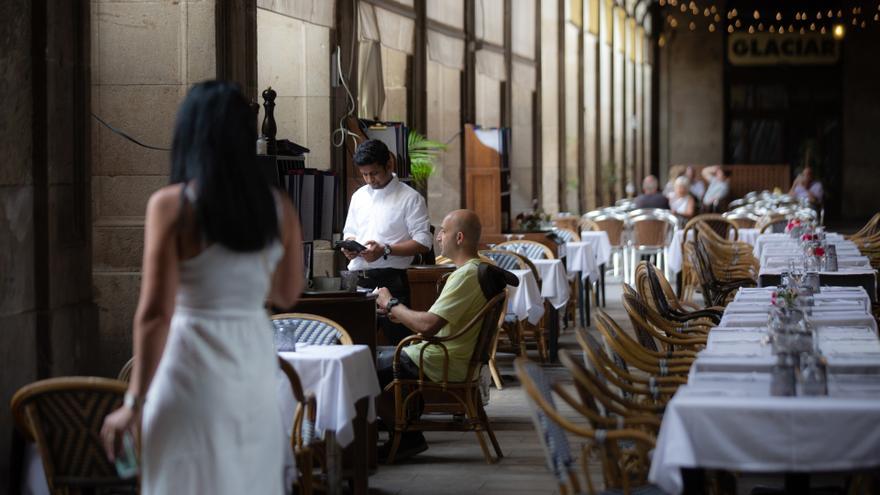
[(778, 49)]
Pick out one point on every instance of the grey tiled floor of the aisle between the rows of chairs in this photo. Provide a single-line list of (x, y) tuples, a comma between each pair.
[(454, 462)]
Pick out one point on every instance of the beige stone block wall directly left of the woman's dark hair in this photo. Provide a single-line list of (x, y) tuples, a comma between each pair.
[(145, 56)]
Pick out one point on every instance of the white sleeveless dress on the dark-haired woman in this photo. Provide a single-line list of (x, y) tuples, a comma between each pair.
[(211, 422)]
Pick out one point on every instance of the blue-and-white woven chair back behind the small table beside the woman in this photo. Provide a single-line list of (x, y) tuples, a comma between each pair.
[(304, 328)]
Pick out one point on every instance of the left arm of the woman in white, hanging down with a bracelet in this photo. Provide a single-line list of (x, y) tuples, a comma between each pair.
[(155, 308)]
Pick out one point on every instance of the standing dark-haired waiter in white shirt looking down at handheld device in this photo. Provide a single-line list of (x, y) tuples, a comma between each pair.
[(391, 220)]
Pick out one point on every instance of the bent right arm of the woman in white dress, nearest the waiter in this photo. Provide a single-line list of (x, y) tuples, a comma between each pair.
[(288, 280)]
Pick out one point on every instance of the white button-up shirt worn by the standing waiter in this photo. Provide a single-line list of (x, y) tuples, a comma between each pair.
[(395, 213)]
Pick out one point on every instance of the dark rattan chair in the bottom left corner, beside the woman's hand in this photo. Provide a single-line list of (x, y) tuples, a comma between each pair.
[(64, 417)]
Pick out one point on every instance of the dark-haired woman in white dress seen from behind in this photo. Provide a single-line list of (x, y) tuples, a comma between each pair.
[(218, 242)]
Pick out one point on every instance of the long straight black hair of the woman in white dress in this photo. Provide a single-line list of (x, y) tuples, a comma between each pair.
[(215, 146)]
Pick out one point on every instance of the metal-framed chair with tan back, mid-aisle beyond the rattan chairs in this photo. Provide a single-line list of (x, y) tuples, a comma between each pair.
[(651, 230)]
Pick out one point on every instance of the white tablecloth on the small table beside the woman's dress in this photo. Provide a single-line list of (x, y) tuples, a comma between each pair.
[(338, 376)]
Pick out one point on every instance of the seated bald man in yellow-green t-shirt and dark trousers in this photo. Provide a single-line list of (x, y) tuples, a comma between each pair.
[(460, 300)]
